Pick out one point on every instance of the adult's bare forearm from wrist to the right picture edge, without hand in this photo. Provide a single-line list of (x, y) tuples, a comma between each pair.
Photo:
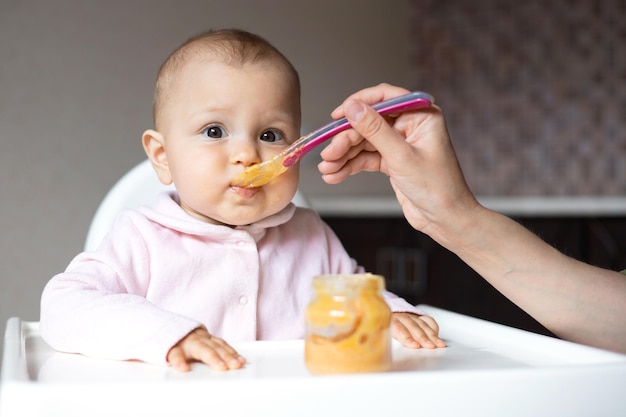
[(574, 300)]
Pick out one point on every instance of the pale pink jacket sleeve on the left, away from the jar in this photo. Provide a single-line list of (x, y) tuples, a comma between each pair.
[(98, 306)]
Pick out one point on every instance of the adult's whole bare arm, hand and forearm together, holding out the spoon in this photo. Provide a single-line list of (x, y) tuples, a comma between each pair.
[(576, 301)]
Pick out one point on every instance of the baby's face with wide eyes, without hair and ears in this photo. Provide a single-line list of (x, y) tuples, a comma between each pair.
[(220, 120)]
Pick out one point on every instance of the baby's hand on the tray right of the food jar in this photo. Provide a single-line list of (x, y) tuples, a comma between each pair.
[(415, 331)]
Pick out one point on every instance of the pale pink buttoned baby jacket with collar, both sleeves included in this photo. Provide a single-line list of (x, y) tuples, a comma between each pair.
[(161, 273)]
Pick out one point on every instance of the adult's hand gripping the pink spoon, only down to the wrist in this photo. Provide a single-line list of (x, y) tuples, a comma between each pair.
[(412, 148)]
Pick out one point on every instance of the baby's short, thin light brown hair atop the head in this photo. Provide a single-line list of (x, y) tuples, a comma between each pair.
[(232, 46)]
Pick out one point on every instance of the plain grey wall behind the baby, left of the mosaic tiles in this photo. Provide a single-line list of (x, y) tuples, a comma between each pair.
[(76, 81)]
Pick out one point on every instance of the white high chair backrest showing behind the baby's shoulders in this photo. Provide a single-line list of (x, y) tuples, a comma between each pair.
[(138, 186)]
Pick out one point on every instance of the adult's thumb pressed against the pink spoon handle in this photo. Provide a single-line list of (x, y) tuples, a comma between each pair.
[(373, 127)]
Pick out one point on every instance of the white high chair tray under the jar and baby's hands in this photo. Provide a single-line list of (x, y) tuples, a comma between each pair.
[(487, 369)]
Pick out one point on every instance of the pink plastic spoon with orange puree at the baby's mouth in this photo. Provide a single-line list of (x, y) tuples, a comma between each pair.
[(258, 175)]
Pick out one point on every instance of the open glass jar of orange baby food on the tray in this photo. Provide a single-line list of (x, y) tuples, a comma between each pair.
[(348, 325)]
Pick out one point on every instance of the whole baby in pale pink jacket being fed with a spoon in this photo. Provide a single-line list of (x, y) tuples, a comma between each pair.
[(211, 262)]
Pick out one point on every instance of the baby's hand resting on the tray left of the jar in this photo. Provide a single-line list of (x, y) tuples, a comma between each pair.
[(200, 346)]
